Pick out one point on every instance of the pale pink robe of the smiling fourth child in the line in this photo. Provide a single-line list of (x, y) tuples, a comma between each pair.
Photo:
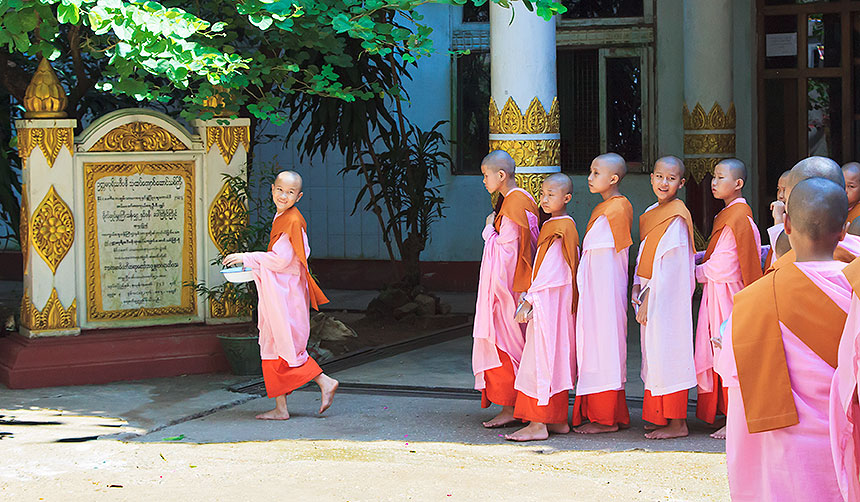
[(667, 337)]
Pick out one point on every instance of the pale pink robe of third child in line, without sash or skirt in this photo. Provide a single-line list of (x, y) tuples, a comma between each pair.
[(601, 321)]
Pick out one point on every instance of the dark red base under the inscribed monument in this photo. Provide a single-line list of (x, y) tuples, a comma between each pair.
[(109, 355)]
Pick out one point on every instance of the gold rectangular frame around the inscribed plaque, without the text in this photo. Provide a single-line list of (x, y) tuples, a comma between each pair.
[(92, 173)]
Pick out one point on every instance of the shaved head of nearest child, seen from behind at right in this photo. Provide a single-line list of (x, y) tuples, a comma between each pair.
[(818, 209)]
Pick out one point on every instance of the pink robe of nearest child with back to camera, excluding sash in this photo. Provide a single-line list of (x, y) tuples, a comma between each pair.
[(793, 463)]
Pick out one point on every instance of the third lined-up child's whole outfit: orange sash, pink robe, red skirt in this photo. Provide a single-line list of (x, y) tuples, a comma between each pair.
[(601, 326)]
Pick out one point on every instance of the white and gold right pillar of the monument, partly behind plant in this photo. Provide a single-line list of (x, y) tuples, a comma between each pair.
[(226, 143)]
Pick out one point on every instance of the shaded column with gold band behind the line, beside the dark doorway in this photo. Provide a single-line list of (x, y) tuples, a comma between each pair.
[(709, 112)]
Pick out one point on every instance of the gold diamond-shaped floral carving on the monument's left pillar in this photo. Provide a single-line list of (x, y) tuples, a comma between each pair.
[(52, 230)]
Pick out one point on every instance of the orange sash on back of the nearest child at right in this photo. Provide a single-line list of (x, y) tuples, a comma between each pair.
[(758, 345)]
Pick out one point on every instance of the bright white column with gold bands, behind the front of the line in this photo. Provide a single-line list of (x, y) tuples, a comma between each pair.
[(524, 117)]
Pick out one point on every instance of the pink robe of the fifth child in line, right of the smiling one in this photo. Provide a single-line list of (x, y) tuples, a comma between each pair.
[(721, 277)]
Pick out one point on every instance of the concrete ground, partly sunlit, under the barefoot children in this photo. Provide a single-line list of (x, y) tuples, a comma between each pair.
[(403, 427)]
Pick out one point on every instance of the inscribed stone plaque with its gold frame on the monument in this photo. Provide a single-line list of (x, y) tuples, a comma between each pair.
[(140, 249)]
